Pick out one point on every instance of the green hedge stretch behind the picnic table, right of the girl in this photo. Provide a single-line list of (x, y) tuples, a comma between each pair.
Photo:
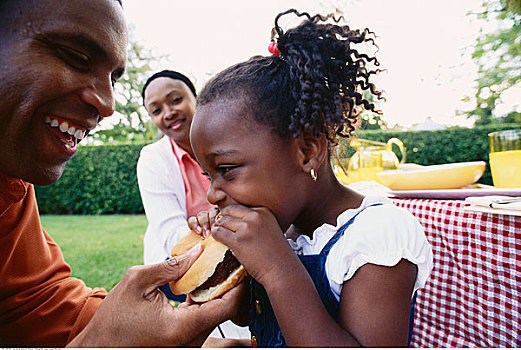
[(451, 145)]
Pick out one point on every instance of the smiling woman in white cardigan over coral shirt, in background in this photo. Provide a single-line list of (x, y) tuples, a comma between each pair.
[(171, 183)]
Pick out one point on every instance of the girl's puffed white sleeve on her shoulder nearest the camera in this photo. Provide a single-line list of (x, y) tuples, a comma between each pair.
[(380, 235)]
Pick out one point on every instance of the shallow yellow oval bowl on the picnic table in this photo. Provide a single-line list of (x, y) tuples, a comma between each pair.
[(433, 177)]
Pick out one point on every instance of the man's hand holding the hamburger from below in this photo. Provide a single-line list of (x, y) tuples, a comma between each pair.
[(136, 313)]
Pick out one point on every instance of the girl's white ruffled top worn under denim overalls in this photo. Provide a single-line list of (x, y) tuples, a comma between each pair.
[(380, 235)]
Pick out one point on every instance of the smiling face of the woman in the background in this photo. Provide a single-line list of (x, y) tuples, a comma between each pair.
[(171, 105)]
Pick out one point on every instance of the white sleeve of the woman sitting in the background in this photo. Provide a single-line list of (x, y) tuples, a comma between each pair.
[(163, 195)]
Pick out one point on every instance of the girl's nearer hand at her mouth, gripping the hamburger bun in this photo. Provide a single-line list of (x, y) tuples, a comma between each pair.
[(257, 241)]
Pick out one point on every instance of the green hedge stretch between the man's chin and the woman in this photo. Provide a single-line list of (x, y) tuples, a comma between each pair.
[(98, 180)]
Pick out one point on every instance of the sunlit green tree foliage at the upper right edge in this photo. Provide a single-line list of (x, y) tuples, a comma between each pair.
[(498, 54)]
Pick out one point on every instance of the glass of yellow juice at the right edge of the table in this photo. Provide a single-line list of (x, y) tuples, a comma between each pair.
[(505, 158)]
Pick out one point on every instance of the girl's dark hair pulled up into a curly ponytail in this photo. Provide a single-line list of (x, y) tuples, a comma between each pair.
[(314, 85)]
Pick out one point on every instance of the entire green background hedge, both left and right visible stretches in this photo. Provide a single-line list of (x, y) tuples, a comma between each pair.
[(102, 179)]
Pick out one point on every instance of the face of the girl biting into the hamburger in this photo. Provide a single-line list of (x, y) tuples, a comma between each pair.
[(246, 163)]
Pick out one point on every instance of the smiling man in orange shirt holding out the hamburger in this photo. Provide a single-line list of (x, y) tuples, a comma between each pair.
[(59, 61)]
